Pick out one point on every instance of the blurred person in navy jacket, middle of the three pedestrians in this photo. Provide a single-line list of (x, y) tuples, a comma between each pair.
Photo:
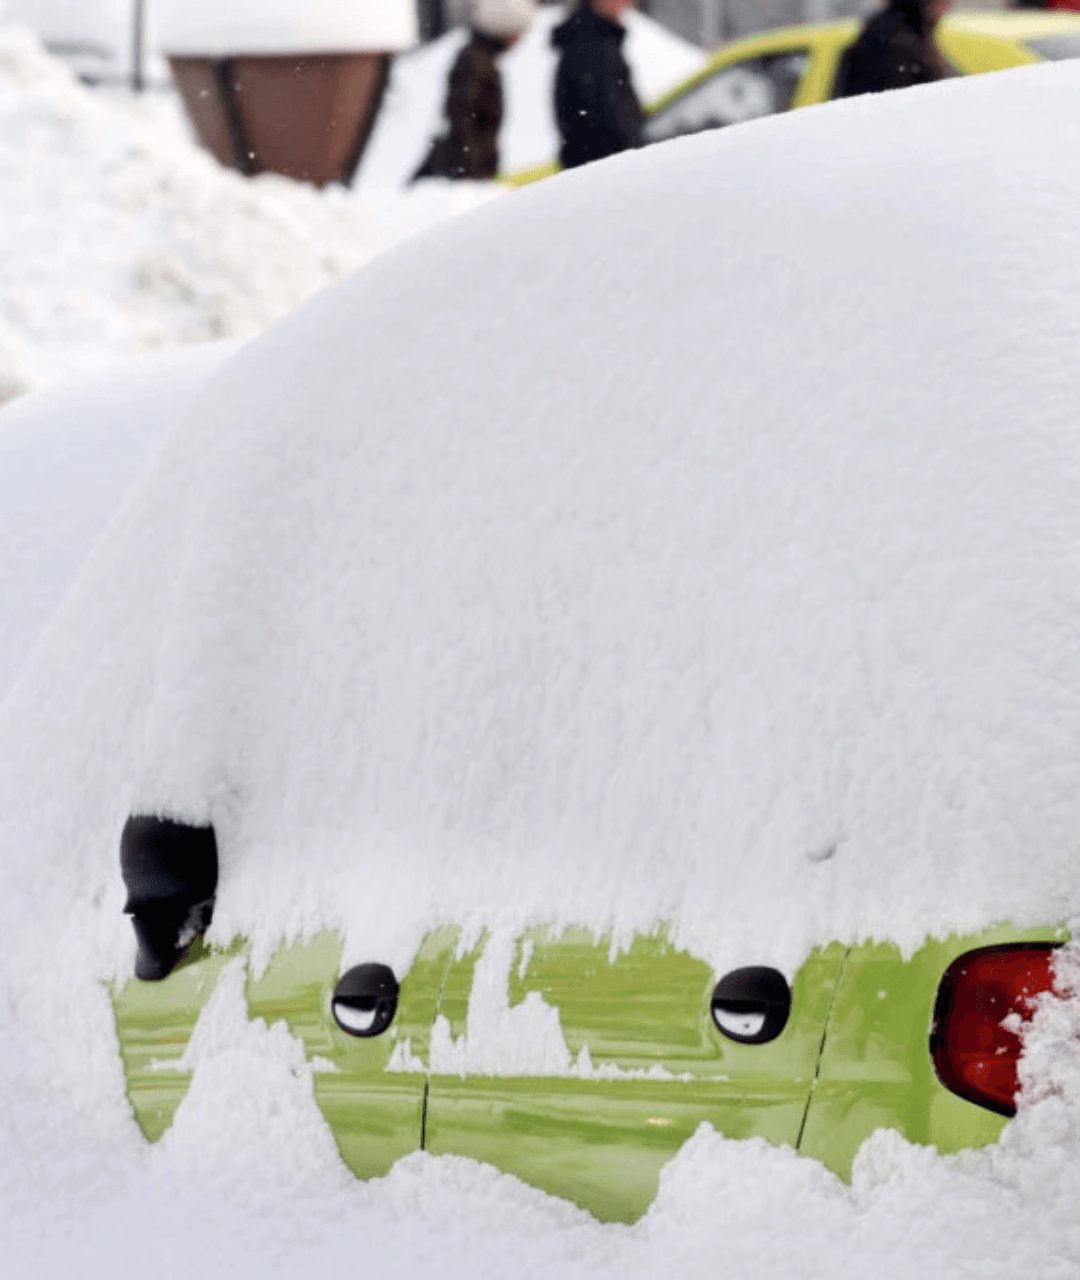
[(597, 109)]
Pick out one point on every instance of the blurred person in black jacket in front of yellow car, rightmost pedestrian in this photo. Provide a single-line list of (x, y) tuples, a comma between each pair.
[(896, 49)]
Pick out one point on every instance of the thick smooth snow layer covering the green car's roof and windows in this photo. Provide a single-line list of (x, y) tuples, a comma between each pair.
[(693, 538)]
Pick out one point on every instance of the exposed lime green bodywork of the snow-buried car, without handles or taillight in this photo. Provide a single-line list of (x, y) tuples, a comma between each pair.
[(642, 1062)]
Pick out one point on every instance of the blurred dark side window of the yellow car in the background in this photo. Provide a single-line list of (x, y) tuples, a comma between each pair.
[(758, 86)]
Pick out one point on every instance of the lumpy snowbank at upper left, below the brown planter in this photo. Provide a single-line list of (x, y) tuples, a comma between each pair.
[(121, 236)]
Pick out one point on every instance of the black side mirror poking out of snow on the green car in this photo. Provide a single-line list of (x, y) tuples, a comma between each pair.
[(171, 874)]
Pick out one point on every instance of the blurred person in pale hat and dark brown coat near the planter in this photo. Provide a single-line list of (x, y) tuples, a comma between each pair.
[(474, 111)]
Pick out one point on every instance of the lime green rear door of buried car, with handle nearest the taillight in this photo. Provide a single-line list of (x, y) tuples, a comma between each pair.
[(628, 1060)]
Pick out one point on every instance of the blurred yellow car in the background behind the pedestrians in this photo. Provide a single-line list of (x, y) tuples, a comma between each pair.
[(790, 67)]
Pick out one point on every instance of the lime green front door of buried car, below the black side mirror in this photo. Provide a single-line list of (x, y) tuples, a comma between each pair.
[(370, 1090)]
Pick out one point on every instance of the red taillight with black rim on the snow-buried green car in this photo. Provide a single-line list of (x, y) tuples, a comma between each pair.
[(976, 1057)]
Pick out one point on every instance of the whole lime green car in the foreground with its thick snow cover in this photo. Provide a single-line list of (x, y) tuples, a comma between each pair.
[(610, 666)]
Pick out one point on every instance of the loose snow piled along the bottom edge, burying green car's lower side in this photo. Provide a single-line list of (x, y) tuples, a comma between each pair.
[(249, 1182)]
